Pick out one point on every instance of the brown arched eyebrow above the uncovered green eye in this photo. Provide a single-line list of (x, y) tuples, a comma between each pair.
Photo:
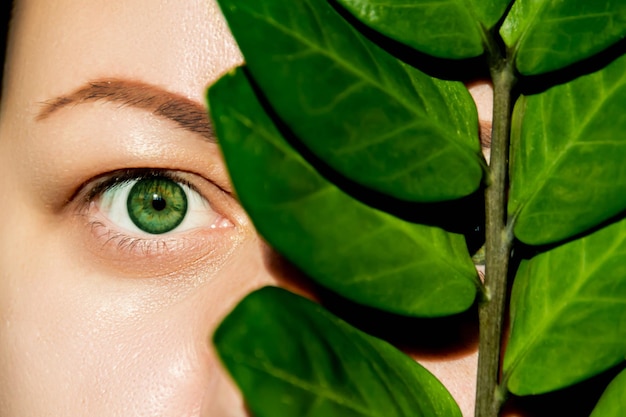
[(186, 113)]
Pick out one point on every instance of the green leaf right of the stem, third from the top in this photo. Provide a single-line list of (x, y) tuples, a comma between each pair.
[(568, 315)]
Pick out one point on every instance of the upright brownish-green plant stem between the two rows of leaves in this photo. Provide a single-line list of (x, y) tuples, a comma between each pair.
[(498, 241)]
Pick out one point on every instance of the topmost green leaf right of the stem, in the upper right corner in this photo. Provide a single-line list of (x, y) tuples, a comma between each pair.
[(546, 35)]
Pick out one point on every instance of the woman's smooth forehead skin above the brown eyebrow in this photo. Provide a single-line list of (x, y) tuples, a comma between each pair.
[(56, 45)]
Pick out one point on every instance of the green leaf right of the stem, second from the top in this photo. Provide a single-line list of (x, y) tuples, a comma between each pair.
[(568, 151)]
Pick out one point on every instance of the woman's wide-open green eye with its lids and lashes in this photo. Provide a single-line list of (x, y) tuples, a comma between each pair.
[(147, 212)]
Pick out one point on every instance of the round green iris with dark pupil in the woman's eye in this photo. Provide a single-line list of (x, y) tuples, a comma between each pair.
[(156, 205)]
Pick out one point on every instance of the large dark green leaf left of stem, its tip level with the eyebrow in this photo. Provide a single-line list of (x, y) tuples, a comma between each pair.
[(371, 117)]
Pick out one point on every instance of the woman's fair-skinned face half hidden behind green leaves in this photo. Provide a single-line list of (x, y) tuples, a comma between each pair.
[(98, 317)]
